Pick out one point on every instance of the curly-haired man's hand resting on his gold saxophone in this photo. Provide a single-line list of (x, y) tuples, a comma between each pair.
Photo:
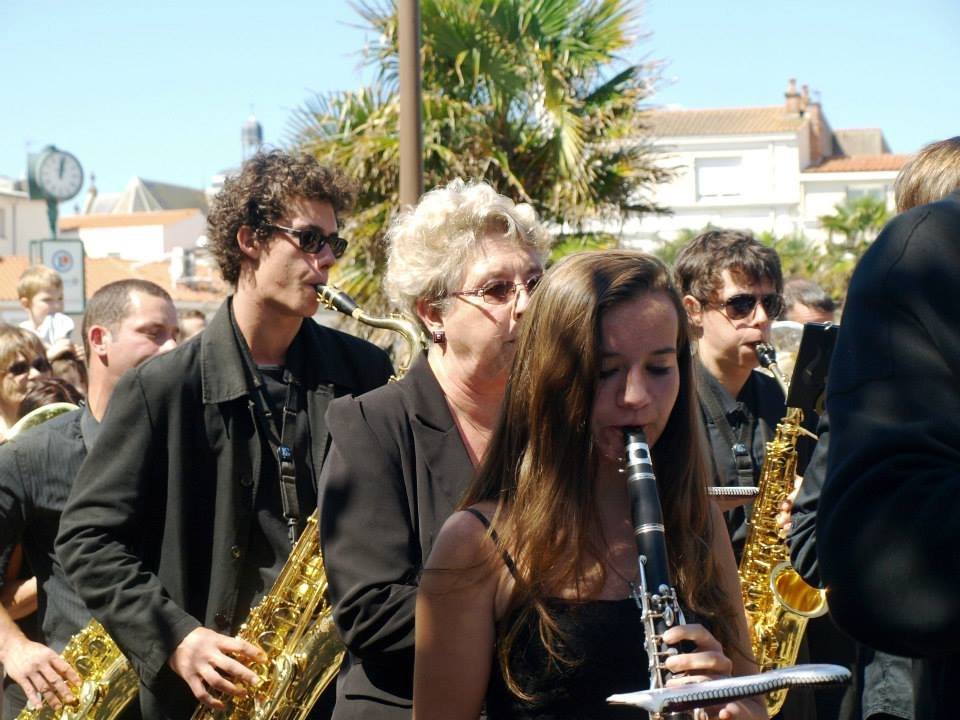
[(210, 662)]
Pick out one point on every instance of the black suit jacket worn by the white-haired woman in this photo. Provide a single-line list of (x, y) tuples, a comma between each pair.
[(396, 471)]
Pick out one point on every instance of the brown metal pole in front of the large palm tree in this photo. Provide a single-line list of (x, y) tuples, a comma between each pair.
[(411, 123)]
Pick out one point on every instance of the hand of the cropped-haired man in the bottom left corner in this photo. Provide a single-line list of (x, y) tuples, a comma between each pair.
[(41, 673)]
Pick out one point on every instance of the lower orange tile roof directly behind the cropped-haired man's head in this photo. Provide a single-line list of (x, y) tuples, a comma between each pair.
[(100, 271)]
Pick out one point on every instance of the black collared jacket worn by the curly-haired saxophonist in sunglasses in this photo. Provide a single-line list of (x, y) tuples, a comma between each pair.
[(155, 532)]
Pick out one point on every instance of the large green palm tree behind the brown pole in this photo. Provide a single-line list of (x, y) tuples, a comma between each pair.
[(529, 95)]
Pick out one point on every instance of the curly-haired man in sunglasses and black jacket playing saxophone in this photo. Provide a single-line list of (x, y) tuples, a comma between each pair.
[(205, 474)]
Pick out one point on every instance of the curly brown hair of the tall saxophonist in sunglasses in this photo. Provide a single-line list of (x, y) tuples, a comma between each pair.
[(259, 196)]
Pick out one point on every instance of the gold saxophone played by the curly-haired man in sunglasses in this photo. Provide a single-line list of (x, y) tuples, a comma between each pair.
[(293, 623)]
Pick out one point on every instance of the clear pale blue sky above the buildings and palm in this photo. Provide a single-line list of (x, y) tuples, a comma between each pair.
[(160, 90)]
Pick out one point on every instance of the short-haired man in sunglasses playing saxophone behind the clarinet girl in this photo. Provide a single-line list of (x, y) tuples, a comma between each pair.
[(732, 289)]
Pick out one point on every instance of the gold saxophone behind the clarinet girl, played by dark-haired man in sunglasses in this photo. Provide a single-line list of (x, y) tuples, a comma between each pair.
[(777, 600)]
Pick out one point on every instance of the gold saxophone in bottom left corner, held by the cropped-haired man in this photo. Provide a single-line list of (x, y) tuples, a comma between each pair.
[(108, 682)]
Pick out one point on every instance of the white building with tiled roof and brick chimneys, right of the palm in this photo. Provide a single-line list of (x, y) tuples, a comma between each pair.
[(767, 169)]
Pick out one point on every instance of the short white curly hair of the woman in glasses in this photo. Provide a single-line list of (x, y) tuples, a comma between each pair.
[(431, 245)]
